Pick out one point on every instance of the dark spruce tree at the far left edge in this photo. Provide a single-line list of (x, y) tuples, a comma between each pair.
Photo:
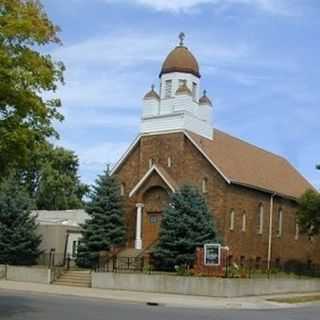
[(19, 241)]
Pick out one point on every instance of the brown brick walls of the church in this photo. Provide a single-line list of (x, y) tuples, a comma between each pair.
[(188, 165)]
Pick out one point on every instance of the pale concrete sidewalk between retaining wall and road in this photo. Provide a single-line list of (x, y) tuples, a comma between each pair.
[(169, 300)]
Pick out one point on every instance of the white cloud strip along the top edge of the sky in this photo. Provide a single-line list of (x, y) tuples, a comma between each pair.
[(283, 7)]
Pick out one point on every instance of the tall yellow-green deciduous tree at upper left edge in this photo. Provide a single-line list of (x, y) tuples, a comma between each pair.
[(26, 76)]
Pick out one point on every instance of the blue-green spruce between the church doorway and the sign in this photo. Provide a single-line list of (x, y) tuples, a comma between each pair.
[(187, 224)]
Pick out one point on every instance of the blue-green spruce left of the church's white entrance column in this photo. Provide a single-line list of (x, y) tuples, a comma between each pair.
[(106, 227)]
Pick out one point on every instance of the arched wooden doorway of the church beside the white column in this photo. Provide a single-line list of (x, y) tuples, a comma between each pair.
[(155, 200)]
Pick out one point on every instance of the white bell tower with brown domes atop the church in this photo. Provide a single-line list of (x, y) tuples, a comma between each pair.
[(178, 106)]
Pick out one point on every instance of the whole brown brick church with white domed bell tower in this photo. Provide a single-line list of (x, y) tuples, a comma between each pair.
[(251, 192)]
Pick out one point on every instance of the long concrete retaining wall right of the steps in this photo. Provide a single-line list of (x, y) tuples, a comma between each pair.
[(215, 287)]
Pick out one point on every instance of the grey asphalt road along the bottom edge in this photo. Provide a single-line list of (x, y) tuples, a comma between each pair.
[(18, 305)]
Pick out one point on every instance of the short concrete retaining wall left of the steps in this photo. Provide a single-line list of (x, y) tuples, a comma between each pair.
[(28, 274)]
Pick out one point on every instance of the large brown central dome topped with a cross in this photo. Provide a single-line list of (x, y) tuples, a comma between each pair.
[(180, 59)]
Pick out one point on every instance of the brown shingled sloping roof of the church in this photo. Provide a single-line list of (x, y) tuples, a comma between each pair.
[(245, 164)]
